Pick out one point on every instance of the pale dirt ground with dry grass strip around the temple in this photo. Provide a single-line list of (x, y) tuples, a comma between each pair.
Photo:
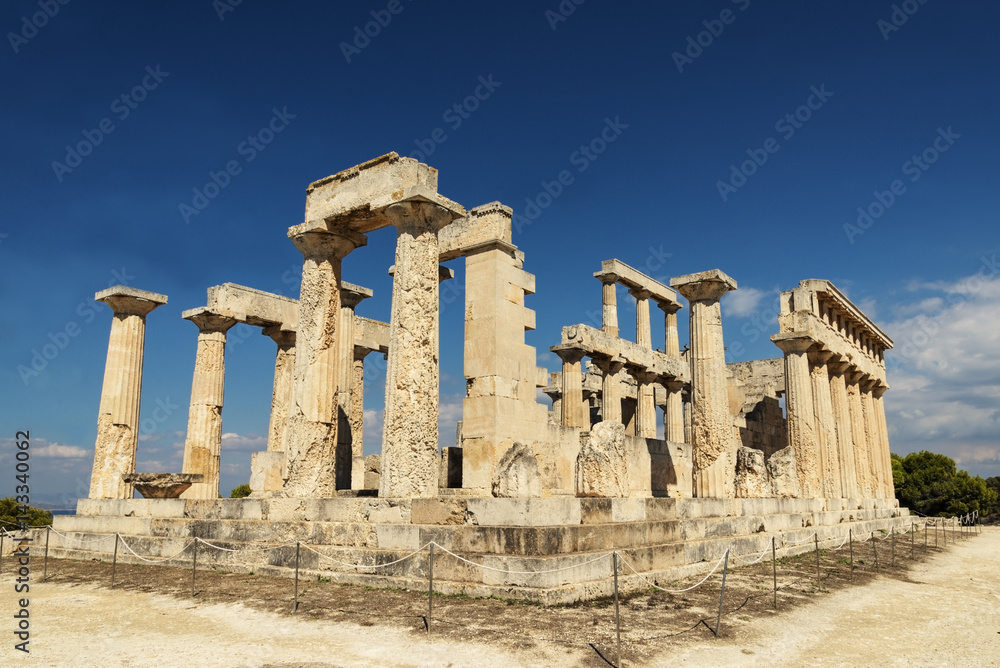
[(940, 608)]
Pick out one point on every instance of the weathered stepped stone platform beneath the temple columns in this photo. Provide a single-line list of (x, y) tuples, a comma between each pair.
[(662, 538)]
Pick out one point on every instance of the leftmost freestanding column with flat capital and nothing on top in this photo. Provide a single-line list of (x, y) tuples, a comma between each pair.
[(118, 415)]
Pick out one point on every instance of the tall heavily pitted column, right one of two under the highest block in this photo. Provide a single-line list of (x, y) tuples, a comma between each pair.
[(410, 440)]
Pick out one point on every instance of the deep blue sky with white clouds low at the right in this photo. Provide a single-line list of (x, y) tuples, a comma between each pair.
[(652, 110)]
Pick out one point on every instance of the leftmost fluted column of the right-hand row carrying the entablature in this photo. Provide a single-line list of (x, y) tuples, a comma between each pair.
[(800, 409)]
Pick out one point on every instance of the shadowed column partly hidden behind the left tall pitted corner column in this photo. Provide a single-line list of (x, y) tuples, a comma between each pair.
[(350, 297)]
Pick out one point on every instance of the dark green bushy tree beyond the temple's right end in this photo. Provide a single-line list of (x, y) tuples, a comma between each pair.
[(931, 484)]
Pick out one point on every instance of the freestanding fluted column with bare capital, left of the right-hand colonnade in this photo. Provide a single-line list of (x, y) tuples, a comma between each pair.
[(713, 441)]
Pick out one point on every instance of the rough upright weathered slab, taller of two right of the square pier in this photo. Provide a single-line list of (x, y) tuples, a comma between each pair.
[(602, 465)]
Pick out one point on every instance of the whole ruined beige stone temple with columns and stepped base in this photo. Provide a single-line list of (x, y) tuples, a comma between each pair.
[(777, 447)]
